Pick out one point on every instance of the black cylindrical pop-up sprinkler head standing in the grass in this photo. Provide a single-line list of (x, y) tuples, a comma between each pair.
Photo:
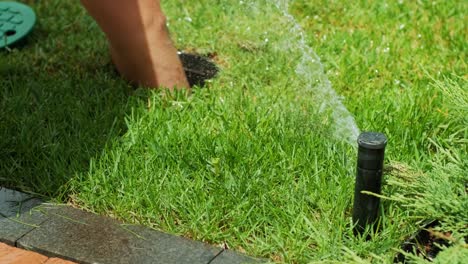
[(369, 179)]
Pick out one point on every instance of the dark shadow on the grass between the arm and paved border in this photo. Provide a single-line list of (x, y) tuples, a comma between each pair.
[(54, 119)]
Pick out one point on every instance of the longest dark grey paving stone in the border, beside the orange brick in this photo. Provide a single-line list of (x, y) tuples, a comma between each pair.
[(82, 237)]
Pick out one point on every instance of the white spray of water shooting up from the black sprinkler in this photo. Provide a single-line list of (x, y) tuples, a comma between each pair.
[(268, 23)]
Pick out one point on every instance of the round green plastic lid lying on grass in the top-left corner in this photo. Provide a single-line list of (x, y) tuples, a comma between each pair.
[(16, 22)]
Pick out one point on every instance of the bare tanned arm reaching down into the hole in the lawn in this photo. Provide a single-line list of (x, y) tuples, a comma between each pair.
[(140, 44)]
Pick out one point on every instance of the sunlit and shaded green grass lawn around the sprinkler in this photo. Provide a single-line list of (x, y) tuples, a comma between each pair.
[(259, 159)]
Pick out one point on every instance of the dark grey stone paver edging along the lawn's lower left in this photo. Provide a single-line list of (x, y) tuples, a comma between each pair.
[(71, 234)]
